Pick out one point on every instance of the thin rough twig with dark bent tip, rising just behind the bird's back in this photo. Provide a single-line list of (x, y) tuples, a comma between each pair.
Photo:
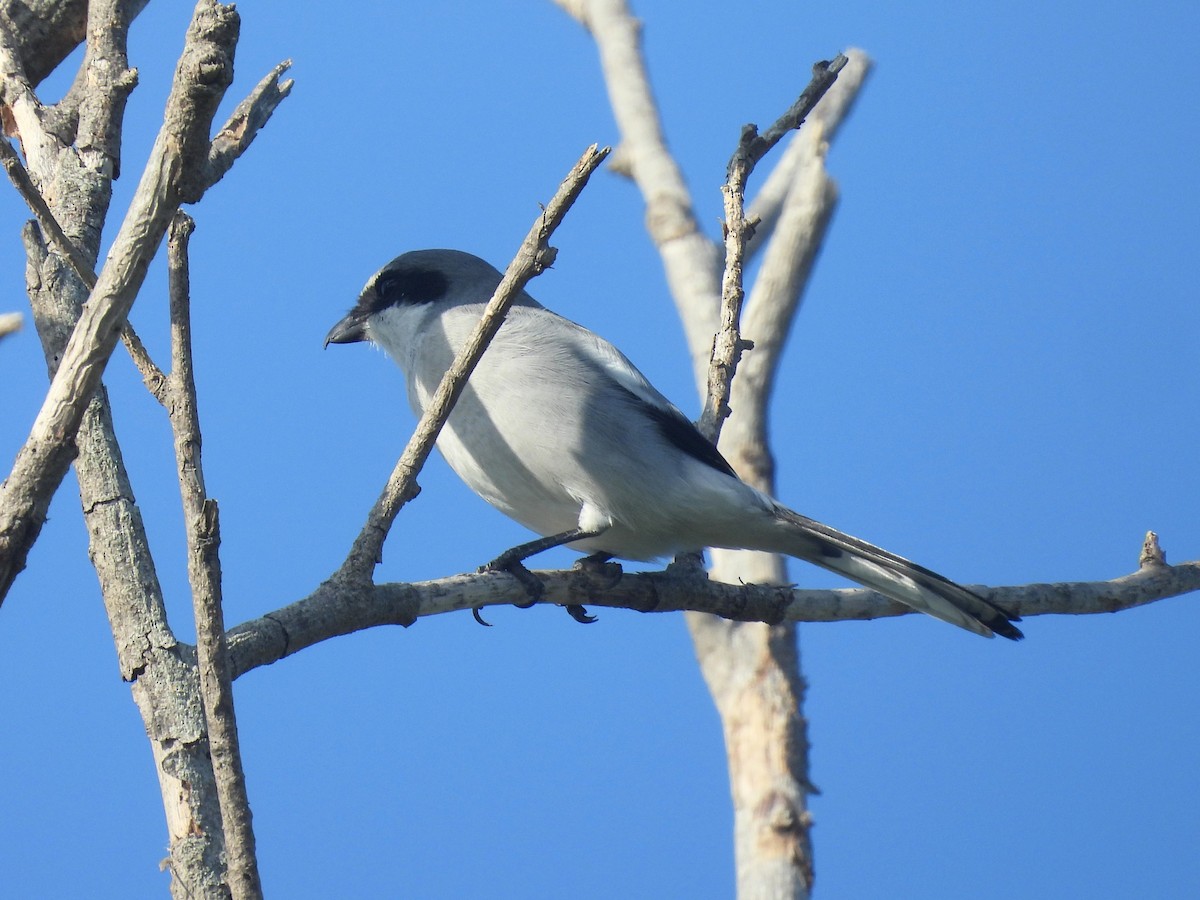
[(728, 346)]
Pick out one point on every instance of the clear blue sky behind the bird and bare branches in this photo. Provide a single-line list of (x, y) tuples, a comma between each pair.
[(994, 374)]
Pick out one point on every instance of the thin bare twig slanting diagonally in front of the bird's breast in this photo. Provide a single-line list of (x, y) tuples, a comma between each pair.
[(532, 260)]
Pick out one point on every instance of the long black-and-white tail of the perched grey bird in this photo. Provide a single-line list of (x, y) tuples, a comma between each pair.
[(896, 578)]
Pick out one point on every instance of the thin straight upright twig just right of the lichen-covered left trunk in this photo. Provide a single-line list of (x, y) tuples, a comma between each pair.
[(202, 525)]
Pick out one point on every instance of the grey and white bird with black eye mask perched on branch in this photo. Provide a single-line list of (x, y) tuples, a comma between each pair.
[(560, 431)]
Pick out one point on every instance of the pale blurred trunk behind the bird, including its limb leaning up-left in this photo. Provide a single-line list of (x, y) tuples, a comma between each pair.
[(753, 673)]
